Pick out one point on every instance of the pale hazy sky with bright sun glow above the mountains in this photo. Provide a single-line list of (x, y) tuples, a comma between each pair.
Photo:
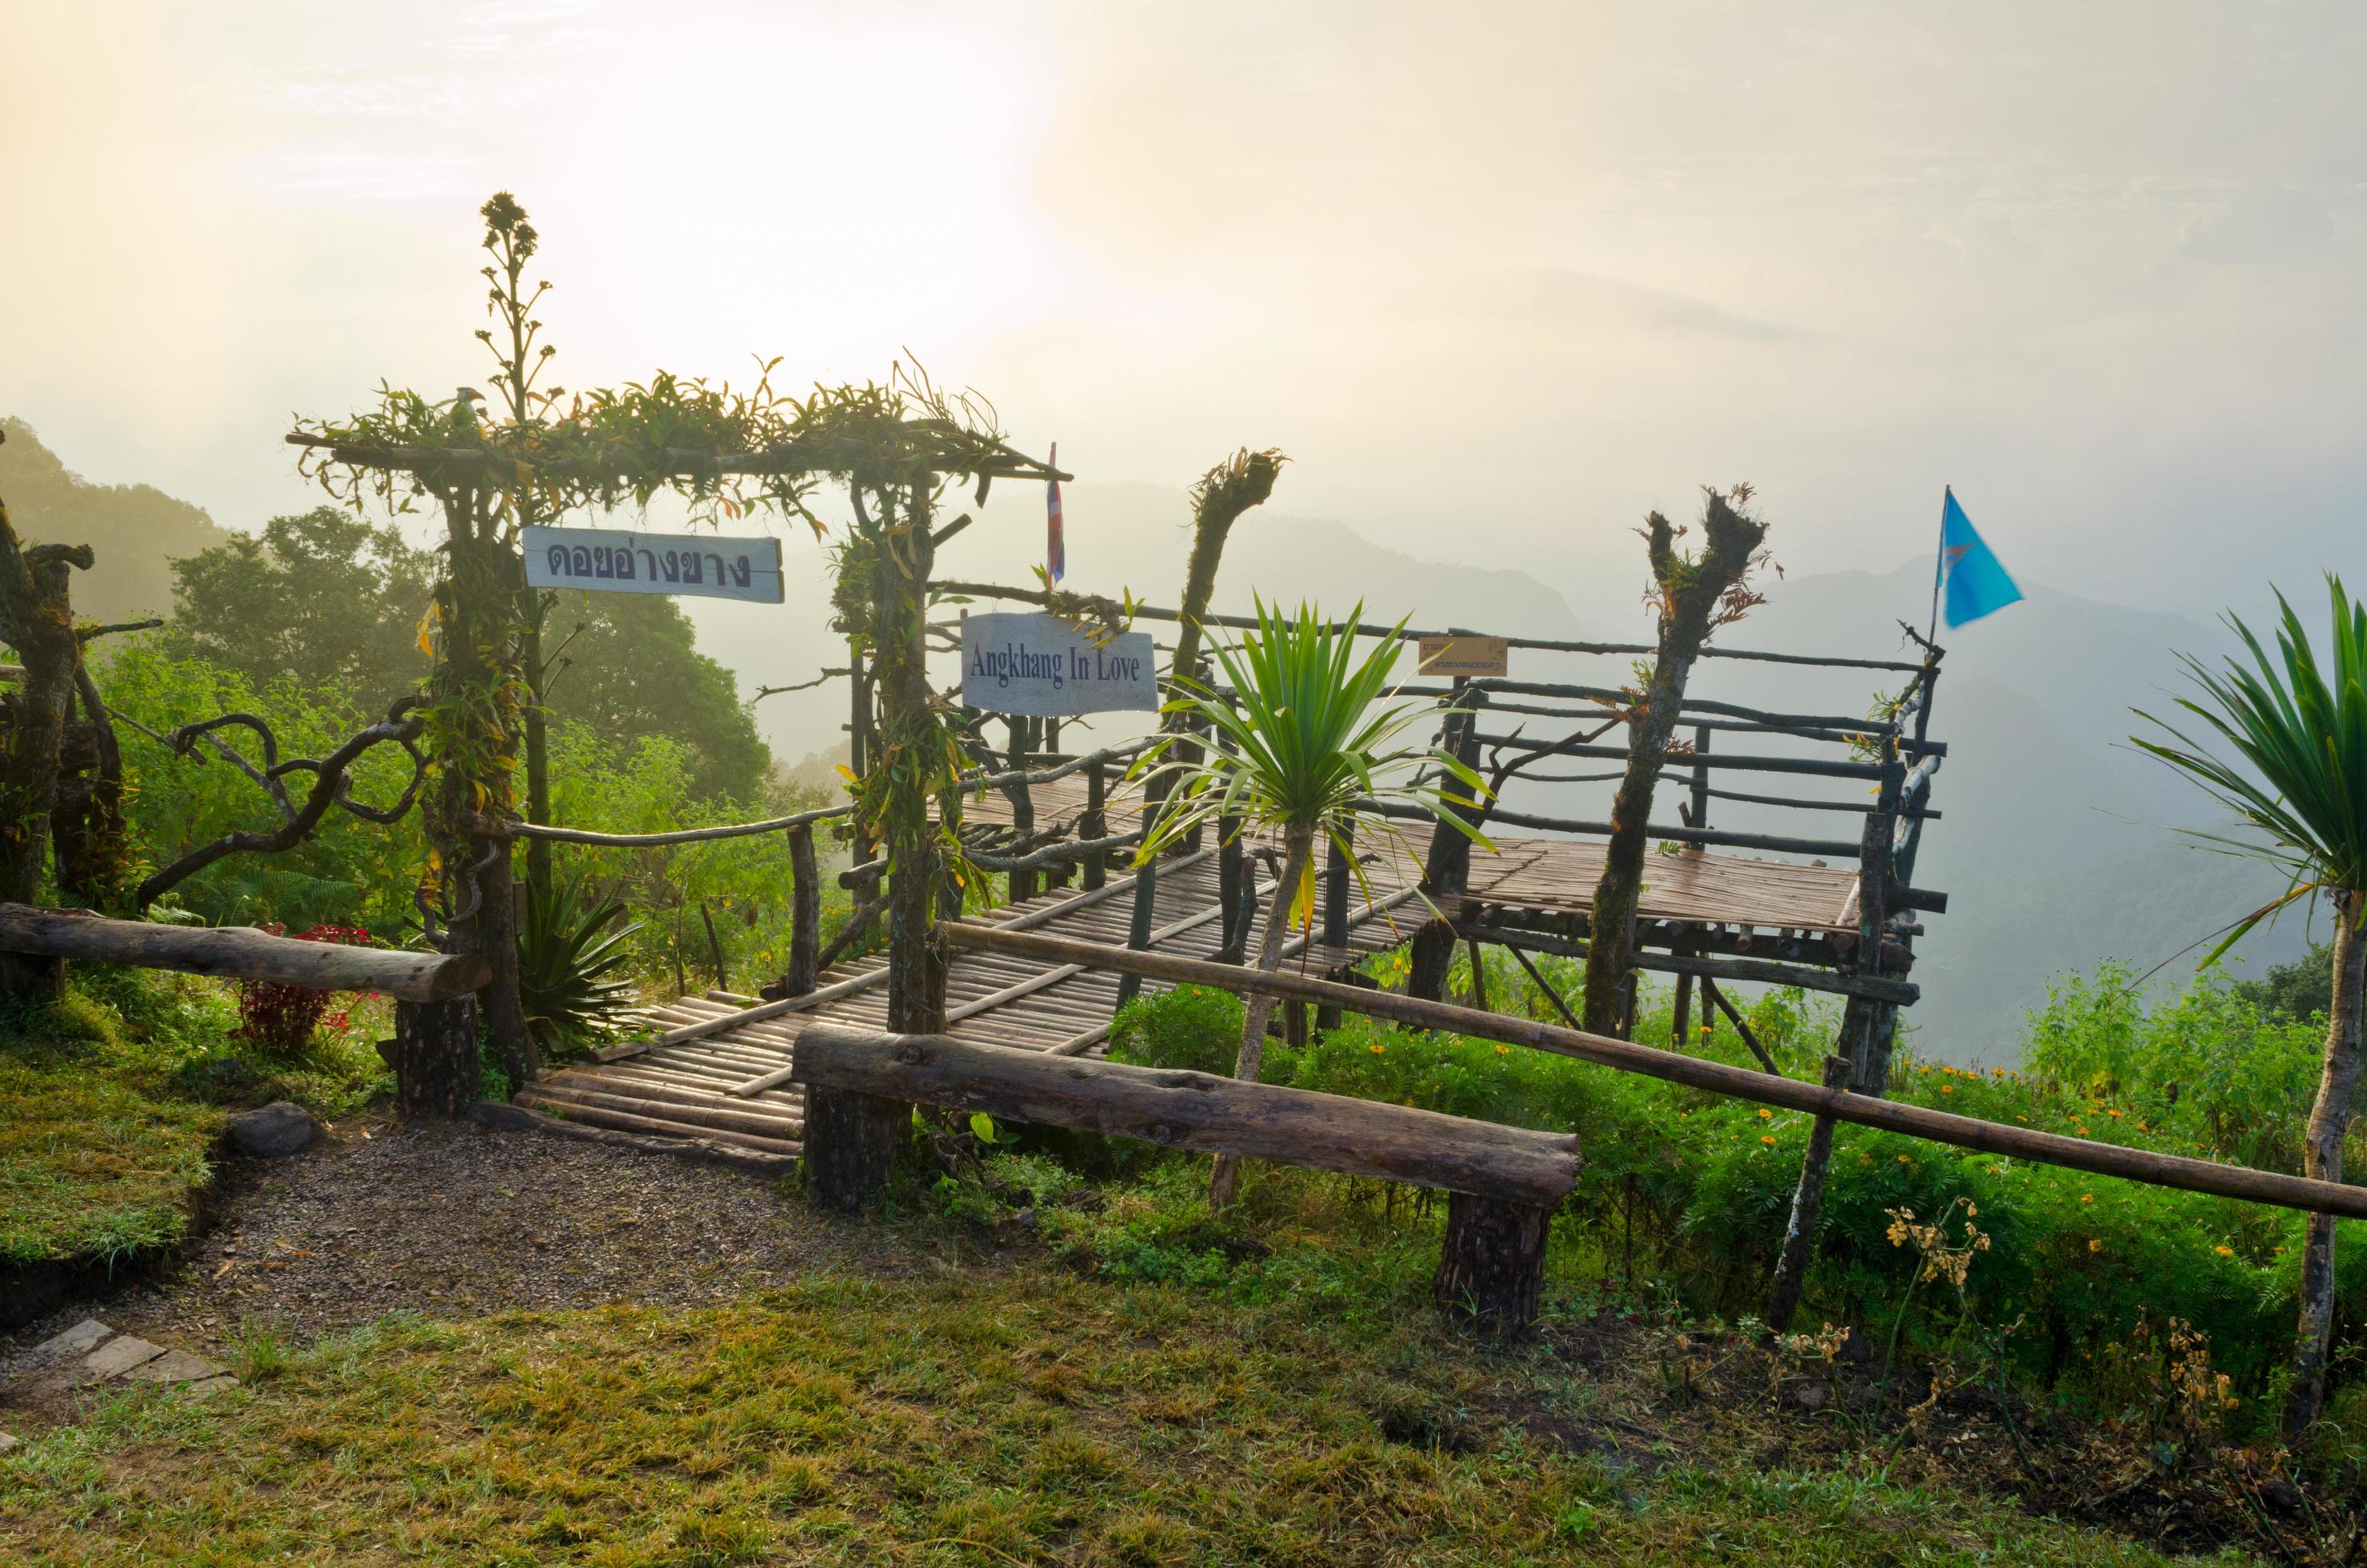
[(1497, 278)]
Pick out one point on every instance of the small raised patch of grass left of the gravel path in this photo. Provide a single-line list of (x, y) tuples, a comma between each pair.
[(91, 1169)]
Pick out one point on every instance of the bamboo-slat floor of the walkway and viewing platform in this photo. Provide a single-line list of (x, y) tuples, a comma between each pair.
[(704, 1088)]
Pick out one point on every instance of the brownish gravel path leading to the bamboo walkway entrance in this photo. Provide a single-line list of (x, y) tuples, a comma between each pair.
[(458, 1223)]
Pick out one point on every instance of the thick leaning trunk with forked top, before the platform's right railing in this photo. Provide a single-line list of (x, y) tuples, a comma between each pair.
[(1694, 598)]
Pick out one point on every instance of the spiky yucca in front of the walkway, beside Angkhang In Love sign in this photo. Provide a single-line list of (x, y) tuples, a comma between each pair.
[(1305, 757)]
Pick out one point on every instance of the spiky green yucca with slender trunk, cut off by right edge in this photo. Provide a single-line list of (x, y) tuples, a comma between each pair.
[(2300, 780)]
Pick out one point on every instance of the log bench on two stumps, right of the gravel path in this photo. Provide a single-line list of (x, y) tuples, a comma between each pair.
[(1502, 1183)]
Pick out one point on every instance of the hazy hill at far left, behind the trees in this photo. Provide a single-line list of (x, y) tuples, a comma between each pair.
[(131, 529)]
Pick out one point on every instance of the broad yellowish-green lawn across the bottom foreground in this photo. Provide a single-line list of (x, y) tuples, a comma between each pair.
[(998, 1415)]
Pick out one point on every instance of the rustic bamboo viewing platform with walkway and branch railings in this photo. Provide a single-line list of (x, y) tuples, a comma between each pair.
[(1720, 906)]
